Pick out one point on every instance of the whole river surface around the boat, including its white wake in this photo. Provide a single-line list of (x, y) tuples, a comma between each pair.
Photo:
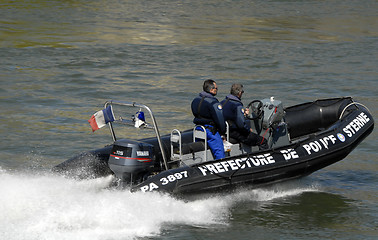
[(61, 60)]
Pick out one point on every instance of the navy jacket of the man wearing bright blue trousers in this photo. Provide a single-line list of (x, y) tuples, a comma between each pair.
[(207, 110)]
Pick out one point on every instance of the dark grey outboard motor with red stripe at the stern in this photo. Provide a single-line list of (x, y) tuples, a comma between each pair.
[(131, 161)]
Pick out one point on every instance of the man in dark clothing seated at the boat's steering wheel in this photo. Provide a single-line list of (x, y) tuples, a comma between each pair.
[(234, 114)]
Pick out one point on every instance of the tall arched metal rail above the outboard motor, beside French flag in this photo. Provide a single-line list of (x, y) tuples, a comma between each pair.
[(137, 105)]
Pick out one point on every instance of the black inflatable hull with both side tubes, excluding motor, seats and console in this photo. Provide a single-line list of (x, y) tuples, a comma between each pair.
[(334, 128)]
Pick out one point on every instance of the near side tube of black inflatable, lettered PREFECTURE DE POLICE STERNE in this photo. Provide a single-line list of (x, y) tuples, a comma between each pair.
[(296, 160)]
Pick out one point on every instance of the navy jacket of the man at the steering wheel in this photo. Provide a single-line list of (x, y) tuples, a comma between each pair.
[(233, 113)]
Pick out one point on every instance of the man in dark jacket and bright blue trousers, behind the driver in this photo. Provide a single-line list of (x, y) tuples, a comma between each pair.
[(207, 111)]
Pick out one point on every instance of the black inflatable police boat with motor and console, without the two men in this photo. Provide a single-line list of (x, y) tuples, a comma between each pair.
[(302, 139)]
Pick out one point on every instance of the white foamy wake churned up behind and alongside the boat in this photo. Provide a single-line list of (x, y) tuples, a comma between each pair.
[(45, 206)]
